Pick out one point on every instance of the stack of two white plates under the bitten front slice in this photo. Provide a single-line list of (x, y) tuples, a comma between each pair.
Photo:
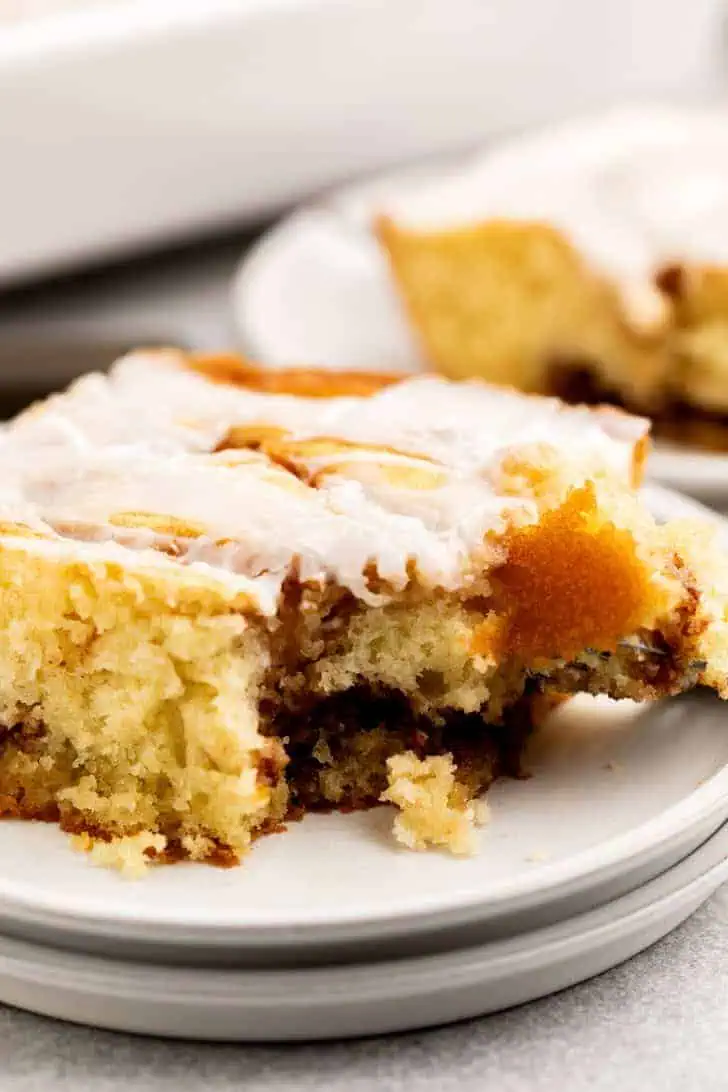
[(331, 930)]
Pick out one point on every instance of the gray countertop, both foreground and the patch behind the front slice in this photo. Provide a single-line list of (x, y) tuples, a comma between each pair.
[(659, 1023)]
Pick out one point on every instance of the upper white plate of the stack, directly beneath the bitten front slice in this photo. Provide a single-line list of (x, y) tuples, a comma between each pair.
[(618, 794)]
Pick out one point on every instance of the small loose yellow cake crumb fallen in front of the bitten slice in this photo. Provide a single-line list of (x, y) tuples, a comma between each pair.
[(434, 808)]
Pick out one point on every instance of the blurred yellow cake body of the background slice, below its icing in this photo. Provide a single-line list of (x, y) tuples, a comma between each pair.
[(516, 303)]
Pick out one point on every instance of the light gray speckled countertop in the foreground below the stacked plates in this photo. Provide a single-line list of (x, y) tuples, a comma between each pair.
[(658, 1024)]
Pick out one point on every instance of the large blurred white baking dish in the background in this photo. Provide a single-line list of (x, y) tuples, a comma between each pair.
[(135, 122)]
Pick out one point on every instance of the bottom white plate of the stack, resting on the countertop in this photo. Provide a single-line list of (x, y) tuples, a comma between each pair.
[(361, 1000)]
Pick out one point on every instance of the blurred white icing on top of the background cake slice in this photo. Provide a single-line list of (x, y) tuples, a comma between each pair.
[(632, 189)]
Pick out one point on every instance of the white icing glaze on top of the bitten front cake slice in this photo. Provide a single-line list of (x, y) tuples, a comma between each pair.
[(414, 481)]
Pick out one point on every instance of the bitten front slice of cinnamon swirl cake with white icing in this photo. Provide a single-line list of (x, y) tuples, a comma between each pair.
[(230, 597)]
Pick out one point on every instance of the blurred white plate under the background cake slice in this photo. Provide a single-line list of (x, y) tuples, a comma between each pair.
[(317, 291)]
